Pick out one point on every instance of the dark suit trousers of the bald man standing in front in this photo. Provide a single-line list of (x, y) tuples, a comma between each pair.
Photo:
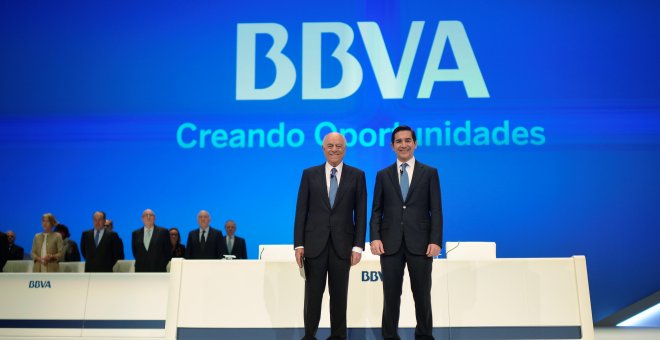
[(336, 269)]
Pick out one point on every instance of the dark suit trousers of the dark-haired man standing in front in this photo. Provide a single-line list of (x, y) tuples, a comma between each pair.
[(419, 270)]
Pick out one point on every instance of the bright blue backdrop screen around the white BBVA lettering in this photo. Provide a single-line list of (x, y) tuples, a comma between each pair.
[(92, 94)]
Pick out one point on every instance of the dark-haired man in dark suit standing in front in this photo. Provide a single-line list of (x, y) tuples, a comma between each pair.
[(406, 229)]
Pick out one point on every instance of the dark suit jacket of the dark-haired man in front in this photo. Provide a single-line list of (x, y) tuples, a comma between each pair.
[(418, 220)]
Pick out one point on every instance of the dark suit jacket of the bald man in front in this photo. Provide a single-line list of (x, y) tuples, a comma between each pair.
[(316, 221)]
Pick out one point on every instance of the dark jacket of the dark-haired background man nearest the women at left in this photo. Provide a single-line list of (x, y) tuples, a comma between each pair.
[(103, 257)]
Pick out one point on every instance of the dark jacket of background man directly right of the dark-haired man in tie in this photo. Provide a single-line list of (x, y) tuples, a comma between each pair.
[(159, 253)]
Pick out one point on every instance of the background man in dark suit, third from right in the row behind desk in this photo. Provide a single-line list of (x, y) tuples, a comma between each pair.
[(151, 245)]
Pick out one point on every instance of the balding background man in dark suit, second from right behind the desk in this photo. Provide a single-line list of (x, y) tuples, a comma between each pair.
[(205, 242)]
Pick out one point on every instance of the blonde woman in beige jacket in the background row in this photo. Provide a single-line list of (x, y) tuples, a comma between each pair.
[(47, 247)]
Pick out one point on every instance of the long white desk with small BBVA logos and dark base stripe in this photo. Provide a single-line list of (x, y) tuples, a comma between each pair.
[(518, 298)]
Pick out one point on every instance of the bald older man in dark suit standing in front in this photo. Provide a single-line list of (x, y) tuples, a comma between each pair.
[(329, 233)]
